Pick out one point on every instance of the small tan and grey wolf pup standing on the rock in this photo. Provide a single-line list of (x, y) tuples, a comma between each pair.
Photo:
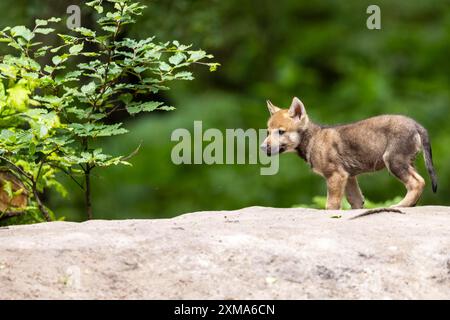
[(340, 153)]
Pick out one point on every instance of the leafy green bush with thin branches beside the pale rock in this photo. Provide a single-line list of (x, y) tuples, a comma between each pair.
[(55, 115)]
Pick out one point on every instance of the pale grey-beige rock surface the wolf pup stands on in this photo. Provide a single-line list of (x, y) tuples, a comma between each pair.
[(253, 253)]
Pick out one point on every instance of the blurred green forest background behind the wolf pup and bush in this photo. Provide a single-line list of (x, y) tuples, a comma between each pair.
[(320, 51)]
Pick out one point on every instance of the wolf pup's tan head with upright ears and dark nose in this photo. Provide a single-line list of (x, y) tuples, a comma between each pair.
[(284, 127)]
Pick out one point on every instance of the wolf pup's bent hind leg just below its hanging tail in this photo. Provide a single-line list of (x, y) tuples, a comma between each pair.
[(413, 182)]
